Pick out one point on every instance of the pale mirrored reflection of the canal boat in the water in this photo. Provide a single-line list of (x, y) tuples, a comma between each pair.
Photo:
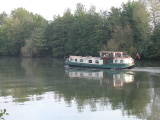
[(118, 78)]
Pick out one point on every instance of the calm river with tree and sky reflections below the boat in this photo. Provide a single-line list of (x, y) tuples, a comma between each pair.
[(43, 89)]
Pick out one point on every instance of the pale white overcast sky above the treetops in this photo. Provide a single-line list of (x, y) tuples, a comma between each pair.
[(49, 8)]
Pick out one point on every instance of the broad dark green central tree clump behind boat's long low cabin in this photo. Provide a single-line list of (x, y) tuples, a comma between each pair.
[(77, 34)]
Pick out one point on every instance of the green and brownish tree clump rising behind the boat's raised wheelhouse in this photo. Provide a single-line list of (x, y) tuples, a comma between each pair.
[(130, 26)]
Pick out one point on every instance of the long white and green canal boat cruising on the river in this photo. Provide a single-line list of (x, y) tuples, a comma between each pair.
[(106, 60)]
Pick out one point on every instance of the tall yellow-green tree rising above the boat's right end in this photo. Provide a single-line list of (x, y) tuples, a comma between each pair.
[(138, 18)]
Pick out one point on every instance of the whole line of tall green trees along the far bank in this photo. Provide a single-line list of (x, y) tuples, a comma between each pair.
[(134, 27)]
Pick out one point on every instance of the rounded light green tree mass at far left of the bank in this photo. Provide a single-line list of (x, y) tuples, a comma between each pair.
[(16, 29)]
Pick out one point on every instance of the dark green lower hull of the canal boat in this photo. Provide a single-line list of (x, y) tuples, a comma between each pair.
[(104, 66)]
